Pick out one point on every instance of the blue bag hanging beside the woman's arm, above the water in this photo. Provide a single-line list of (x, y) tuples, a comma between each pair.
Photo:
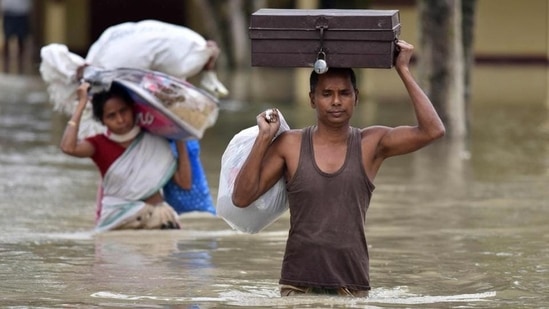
[(198, 198)]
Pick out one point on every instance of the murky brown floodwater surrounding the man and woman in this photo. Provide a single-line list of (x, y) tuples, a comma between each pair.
[(455, 225)]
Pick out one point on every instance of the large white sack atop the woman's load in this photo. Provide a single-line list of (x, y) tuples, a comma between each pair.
[(151, 45)]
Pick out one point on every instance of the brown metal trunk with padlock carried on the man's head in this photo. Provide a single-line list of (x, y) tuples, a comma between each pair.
[(341, 38)]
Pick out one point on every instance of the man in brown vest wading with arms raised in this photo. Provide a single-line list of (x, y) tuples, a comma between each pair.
[(329, 170)]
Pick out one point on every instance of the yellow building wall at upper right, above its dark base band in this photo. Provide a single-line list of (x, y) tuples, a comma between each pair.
[(505, 30)]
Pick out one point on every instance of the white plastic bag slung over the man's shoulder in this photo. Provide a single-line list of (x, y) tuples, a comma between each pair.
[(268, 207)]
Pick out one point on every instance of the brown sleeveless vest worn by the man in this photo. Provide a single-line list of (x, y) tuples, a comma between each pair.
[(326, 246)]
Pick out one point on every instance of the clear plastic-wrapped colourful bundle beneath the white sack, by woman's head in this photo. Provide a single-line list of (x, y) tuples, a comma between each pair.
[(165, 106)]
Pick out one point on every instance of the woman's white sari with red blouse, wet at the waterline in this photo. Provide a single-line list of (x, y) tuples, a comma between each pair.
[(138, 173)]
